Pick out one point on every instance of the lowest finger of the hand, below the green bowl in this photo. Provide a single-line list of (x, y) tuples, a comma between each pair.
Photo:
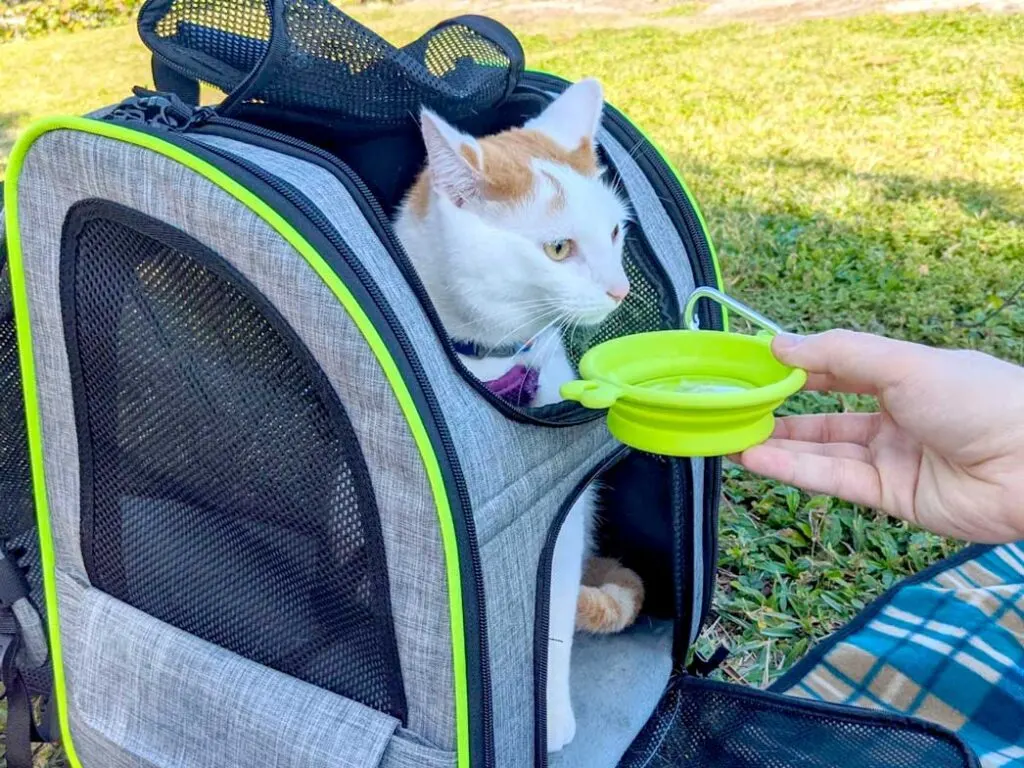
[(857, 482)]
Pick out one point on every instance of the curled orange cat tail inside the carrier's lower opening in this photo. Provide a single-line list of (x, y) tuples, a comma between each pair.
[(611, 598)]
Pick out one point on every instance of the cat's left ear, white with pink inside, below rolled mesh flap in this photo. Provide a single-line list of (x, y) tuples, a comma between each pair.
[(455, 159)]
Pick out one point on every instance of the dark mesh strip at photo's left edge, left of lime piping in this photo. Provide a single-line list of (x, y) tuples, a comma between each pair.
[(17, 510)]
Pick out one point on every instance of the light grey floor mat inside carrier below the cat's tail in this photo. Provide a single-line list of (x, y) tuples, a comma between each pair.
[(617, 682)]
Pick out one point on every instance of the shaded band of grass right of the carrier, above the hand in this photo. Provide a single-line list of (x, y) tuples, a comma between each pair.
[(919, 277)]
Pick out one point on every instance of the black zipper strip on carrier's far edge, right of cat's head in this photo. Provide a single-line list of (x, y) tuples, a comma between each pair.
[(684, 215)]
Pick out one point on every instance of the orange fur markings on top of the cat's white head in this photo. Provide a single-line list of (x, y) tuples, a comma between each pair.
[(508, 173)]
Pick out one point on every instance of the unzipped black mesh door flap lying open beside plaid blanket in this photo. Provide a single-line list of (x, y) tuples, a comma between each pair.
[(713, 726)]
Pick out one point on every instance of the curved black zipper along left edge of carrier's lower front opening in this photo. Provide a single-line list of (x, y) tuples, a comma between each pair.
[(542, 622)]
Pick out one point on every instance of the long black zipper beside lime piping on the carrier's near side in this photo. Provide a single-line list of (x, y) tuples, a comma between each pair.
[(170, 118)]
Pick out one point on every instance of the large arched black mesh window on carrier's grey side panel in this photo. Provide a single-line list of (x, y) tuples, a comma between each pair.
[(224, 491)]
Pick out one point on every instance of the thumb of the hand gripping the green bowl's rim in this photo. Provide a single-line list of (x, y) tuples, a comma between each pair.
[(848, 362)]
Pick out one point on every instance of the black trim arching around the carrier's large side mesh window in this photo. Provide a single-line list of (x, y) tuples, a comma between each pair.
[(80, 216)]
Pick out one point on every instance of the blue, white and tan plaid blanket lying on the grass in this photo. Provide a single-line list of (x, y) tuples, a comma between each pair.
[(947, 646)]
